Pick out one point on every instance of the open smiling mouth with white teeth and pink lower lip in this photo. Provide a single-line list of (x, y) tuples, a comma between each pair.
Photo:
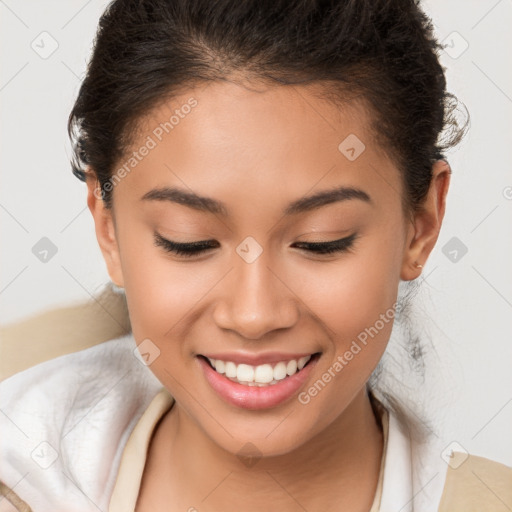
[(259, 386)]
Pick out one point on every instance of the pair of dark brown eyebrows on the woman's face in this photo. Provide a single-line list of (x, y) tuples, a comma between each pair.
[(210, 205)]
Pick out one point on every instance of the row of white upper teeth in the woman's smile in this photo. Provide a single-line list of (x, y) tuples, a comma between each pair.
[(262, 375)]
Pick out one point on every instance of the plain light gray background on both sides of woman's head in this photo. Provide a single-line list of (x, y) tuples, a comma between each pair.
[(466, 303)]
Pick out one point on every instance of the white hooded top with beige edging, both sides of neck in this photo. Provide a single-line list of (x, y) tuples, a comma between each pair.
[(66, 423)]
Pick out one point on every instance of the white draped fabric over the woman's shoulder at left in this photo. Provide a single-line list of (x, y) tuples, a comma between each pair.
[(65, 421)]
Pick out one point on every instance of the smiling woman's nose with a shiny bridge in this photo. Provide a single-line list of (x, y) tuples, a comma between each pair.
[(256, 299)]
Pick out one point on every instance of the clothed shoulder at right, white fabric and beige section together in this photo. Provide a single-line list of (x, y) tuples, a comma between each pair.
[(422, 475)]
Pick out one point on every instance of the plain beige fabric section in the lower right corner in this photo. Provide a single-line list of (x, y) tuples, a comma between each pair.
[(476, 484)]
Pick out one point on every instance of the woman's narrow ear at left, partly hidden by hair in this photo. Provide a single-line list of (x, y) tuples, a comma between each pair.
[(105, 228)]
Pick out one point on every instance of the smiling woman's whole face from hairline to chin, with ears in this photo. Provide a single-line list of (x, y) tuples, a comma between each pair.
[(303, 242)]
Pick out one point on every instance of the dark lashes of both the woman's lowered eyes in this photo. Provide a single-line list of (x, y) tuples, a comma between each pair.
[(192, 249)]
